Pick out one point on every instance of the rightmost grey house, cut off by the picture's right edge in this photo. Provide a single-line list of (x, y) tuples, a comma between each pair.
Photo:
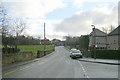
[(113, 39)]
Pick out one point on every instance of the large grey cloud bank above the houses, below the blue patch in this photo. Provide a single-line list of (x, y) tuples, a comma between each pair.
[(81, 23)]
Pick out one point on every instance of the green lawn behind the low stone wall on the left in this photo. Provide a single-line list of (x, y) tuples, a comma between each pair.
[(34, 48)]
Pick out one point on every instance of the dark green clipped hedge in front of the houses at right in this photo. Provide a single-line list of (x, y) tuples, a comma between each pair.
[(106, 54)]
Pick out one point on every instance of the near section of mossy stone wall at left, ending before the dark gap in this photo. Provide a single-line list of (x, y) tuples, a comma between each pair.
[(16, 57)]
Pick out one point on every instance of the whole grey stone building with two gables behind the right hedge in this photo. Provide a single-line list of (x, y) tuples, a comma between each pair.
[(102, 40)]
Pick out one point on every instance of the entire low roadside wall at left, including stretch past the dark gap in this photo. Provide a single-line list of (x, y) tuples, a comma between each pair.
[(22, 56)]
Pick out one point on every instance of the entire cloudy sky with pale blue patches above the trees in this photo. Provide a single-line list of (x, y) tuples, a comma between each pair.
[(63, 17)]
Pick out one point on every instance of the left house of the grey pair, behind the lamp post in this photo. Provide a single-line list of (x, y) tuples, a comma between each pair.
[(97, 39)]
